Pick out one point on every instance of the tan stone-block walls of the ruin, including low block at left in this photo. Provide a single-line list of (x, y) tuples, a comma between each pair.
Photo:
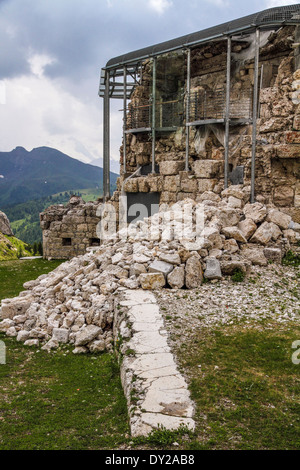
[(69, 231)]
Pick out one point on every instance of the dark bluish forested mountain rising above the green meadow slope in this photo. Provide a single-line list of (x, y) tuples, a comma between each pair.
[(25, 176)]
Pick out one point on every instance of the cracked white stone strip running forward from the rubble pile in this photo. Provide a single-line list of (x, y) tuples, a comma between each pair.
[(157, 394)]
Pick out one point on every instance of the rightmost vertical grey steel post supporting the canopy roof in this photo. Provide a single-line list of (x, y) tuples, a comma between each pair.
[(255, 113)]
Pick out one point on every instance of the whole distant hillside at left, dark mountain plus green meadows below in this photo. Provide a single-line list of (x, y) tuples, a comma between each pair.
[(32, 181)]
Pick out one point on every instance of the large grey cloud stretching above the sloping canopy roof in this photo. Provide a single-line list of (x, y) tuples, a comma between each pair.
[(82, 36)]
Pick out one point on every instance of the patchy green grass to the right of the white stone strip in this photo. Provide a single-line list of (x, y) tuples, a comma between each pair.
[(247, 389)]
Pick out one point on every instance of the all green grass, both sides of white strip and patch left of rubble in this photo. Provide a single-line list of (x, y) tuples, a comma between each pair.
[(246, 390)]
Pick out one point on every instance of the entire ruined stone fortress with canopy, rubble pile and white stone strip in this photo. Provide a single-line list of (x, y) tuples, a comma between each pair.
[(210, 167)]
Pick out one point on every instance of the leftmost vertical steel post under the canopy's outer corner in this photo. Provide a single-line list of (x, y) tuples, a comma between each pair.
[(106, 140)]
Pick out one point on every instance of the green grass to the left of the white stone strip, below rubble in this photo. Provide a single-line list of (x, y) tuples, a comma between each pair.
[(60, 401)]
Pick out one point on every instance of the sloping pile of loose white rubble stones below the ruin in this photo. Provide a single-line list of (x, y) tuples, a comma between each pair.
[(176, 248)]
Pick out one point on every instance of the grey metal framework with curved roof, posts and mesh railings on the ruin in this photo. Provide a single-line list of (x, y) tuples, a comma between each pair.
[(122, 74)]
